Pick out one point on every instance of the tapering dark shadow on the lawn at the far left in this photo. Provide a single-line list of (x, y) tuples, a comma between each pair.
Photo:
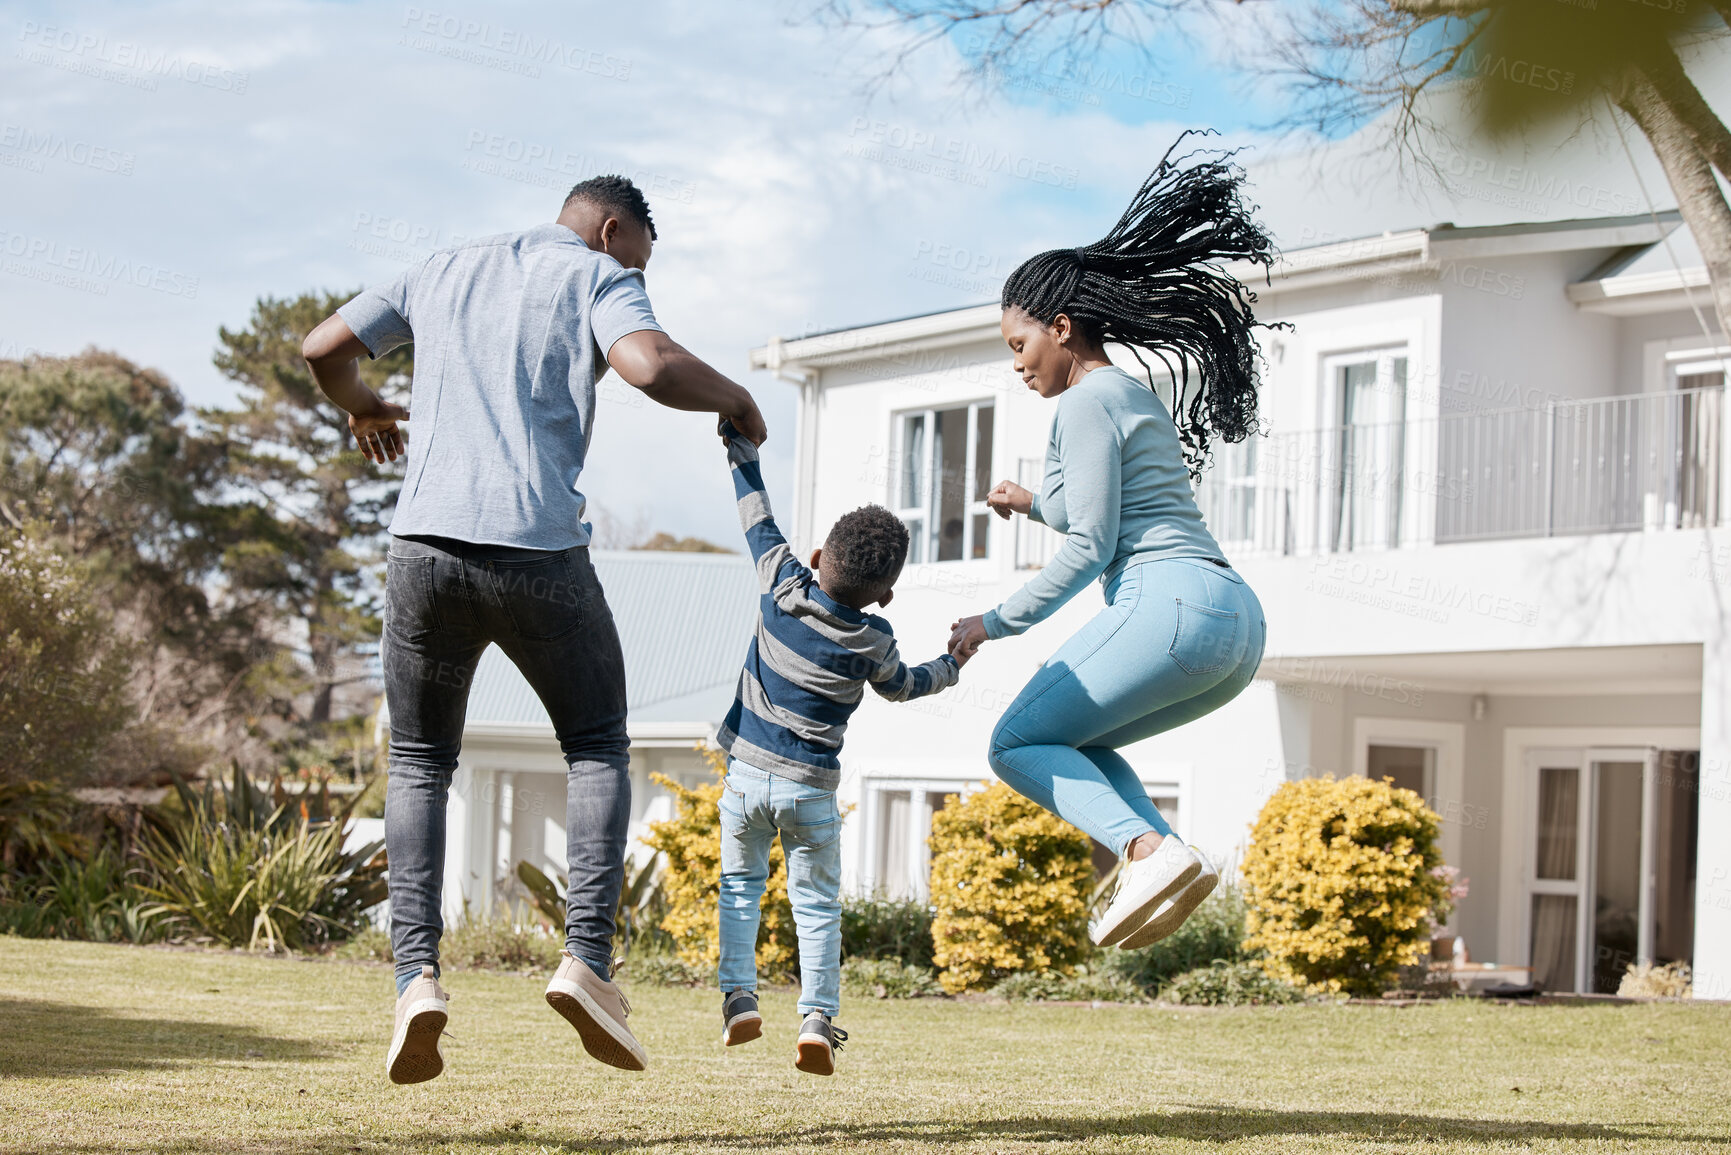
[(63, 1040)]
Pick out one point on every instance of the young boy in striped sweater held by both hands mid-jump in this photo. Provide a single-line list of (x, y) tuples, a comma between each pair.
[(806, 673)]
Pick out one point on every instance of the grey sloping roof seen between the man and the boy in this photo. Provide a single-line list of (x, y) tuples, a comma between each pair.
[(685, 624)]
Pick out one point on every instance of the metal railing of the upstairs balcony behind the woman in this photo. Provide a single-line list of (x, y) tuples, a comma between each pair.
[(1645, 461)]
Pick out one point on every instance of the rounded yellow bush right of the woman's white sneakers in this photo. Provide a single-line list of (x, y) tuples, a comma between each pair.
[(1344, 882)]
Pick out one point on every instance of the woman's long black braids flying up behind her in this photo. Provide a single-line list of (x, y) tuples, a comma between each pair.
[(1157, 283)]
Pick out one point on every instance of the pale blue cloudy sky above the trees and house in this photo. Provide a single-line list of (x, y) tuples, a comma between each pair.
[(164, 165)]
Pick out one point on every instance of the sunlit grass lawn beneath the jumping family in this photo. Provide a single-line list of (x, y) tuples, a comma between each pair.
[(113, 1049)]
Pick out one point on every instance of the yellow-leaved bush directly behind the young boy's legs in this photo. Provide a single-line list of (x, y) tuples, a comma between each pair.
[(693, 846)]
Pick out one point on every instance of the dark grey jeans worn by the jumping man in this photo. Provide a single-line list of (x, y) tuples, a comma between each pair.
[(446, 602)]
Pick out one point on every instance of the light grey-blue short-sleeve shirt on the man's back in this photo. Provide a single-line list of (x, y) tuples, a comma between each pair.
[(510, 335)]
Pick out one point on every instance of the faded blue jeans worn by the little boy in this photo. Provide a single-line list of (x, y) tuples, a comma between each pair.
[(756, 804)]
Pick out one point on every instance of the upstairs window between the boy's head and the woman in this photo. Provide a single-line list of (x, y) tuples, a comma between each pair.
[(944, 472)]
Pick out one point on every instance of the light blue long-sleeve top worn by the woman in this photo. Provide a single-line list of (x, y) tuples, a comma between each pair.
[(1116, 487)]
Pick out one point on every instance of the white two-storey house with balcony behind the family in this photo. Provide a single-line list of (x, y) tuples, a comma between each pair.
[(1488, 526)]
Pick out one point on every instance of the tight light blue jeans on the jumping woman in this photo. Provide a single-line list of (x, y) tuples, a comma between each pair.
[(1178, 640)]
